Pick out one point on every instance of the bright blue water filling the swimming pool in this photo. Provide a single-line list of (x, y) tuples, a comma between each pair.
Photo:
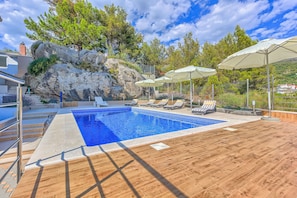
[(107, 125)]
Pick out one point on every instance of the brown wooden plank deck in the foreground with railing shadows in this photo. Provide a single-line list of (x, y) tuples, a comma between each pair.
[(259, 159)]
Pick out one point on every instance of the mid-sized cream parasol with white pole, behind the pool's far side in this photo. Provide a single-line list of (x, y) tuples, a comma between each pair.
[(189, 73)]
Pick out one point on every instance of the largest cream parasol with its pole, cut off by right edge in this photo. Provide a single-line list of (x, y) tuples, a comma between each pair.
[(262, 54)]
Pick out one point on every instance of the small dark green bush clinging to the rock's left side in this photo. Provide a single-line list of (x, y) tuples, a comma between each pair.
[(41, 65)]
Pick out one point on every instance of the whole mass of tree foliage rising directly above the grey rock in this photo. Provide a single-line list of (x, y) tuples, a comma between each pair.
[(78, 23)]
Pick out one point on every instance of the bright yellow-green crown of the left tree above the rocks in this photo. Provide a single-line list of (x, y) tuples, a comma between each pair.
[(69, 23)]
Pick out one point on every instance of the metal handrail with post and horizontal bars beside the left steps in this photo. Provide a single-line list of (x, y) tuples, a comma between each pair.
[(8, 124)]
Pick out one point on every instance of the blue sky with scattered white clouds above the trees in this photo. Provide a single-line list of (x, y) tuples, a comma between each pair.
[(170, 20)]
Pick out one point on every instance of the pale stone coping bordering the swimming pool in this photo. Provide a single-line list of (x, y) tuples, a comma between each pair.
[(48, 152)]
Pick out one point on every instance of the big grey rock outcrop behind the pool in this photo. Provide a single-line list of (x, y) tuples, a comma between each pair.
[(108, 78)]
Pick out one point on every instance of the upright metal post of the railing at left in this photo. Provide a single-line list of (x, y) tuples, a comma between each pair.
[(19, 132)]
